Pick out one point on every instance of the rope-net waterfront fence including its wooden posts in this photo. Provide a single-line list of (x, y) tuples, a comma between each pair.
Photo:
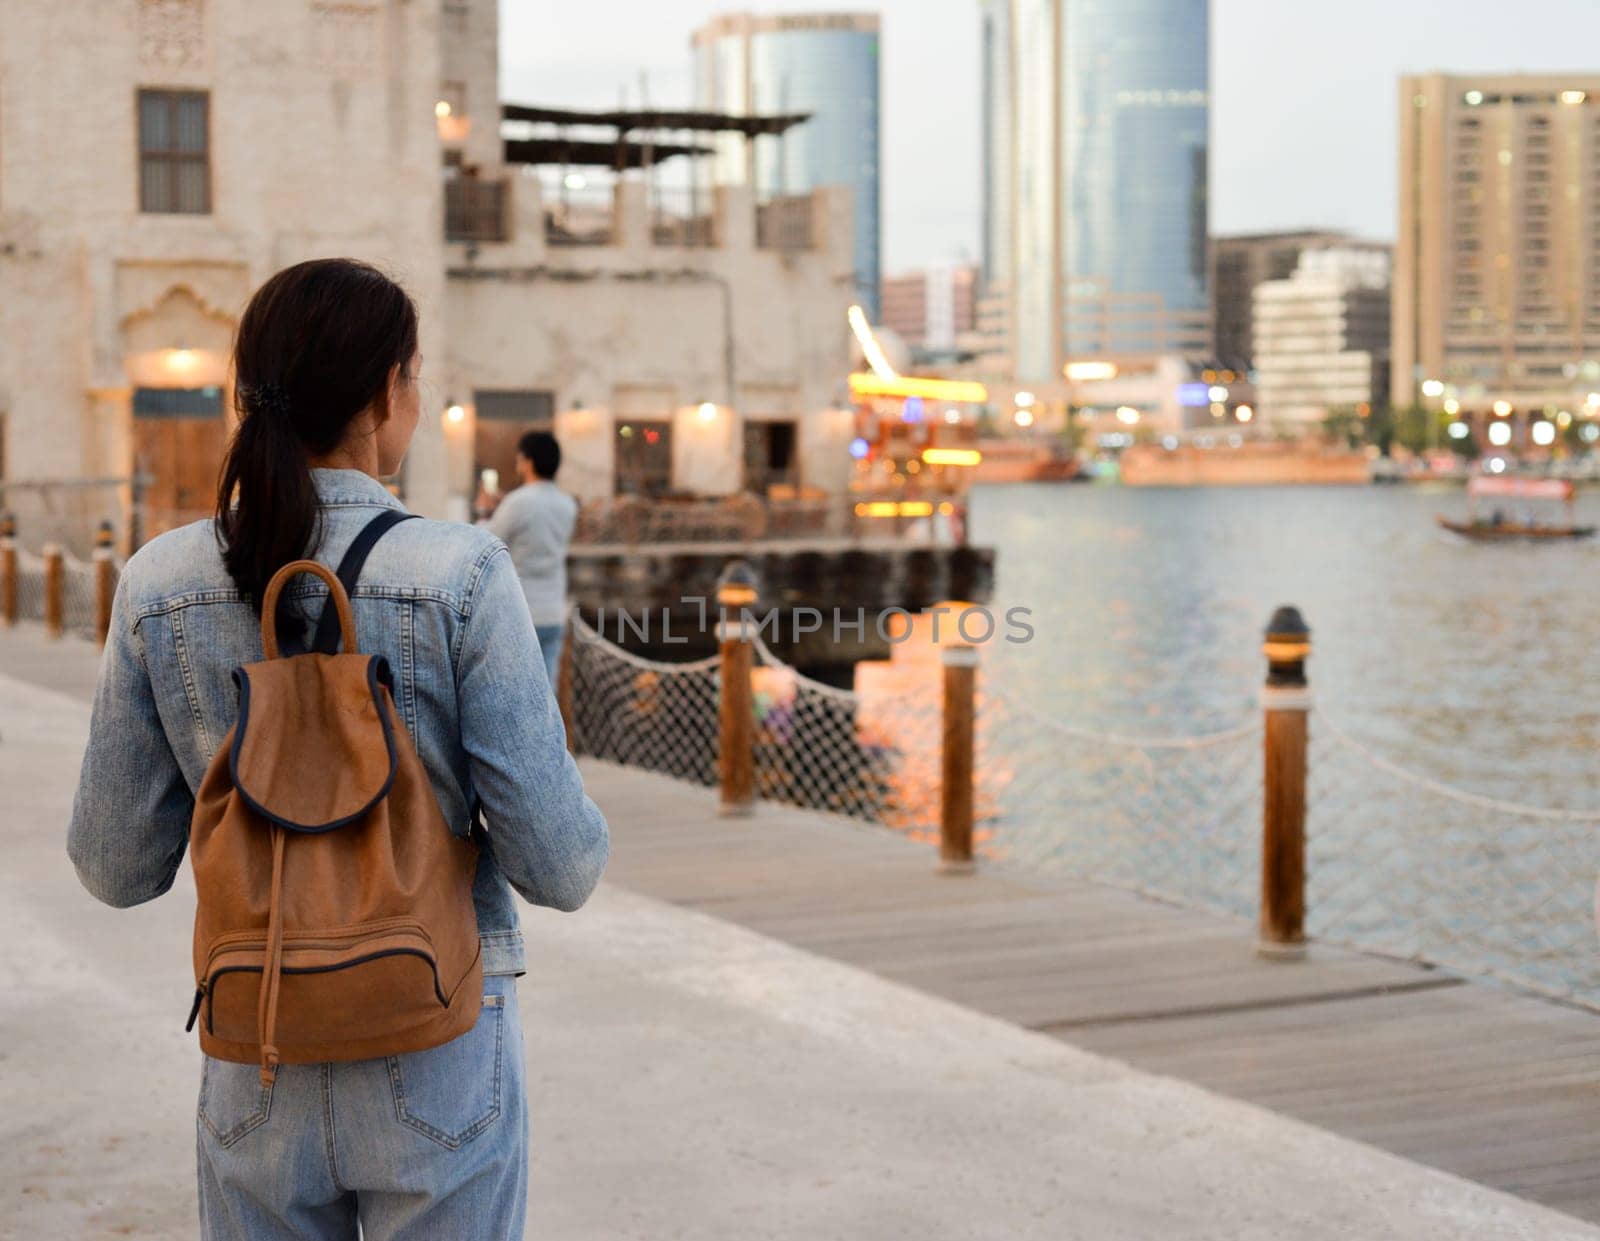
[(1286, 818)]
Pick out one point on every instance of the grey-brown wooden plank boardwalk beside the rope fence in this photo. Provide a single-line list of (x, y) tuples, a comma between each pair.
[(1478, 1080)]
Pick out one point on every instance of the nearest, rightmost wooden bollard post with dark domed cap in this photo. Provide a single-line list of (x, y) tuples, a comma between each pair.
[(1286, 703)]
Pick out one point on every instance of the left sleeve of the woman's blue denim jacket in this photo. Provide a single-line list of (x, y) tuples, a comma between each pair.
[(130, 820)]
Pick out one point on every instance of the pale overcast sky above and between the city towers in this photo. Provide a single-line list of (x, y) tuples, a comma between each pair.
[(1303, 114)]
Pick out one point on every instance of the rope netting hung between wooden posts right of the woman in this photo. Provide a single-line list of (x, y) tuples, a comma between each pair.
[(1398, 863)]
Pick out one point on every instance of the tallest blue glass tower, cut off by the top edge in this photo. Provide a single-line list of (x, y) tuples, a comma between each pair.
[(1106, 182)]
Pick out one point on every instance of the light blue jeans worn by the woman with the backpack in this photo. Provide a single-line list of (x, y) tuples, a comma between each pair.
[(417, 1147)]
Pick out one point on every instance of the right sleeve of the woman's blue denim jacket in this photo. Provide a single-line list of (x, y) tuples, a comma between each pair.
[(548, 837)]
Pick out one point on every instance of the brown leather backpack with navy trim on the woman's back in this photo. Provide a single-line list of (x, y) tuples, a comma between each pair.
[(335, 906)]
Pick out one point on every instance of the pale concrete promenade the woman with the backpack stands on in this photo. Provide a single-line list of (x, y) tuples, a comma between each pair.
[(690, 1079)]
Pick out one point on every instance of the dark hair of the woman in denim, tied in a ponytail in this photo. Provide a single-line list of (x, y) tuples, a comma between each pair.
[(316, 348)]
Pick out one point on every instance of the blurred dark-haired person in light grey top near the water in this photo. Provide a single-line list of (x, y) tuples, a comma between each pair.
[(537, 524)]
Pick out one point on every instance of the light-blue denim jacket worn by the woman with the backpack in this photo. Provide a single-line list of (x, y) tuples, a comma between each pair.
[(444, 605)]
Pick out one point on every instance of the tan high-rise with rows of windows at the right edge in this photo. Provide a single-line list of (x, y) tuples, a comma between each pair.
[(1497, 290)]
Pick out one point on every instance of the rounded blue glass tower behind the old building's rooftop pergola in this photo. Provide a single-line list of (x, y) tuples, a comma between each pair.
[(818, 63)]
